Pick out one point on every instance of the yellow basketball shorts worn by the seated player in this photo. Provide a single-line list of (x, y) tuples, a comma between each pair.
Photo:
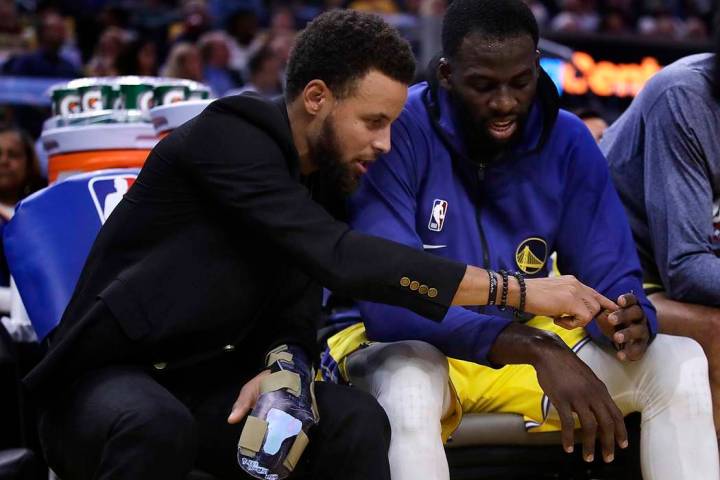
[(477, 388)]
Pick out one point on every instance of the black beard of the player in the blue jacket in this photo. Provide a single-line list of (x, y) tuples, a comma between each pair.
[(481, 146)]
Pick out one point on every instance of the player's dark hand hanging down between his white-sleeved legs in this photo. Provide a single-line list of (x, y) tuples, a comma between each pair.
[(572, 386)]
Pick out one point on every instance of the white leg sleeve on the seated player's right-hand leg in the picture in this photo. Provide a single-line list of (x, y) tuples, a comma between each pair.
[(669, 386)]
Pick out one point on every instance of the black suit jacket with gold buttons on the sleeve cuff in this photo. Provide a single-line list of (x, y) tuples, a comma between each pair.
[(218, 242)]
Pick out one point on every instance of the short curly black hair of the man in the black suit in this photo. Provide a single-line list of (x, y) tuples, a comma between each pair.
[(342, 46)]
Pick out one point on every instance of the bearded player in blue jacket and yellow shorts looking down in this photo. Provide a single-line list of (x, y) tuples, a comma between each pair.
[(486, 169)]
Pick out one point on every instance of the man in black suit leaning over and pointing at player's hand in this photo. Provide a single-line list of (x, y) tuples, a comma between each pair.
[(217, 255)]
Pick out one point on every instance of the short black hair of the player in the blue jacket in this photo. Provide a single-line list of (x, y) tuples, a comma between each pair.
[(497, 19)]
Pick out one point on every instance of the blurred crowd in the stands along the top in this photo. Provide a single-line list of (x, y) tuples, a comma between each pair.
[(236, 45)]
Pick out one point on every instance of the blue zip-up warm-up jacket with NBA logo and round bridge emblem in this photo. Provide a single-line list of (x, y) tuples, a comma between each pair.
[(551, 193)]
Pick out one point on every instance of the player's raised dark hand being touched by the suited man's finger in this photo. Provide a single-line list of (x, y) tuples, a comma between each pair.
[(627, 328)]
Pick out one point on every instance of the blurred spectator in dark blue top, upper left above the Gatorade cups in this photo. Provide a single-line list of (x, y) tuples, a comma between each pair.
[(46, 60)]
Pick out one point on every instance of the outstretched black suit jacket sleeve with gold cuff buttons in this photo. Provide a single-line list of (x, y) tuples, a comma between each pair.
[(244, 170)]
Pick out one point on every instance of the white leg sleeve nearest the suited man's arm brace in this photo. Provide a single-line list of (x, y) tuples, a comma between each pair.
[(410, 381)]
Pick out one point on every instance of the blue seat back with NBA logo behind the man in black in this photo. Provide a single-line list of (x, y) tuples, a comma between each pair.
[(46, 244)]
